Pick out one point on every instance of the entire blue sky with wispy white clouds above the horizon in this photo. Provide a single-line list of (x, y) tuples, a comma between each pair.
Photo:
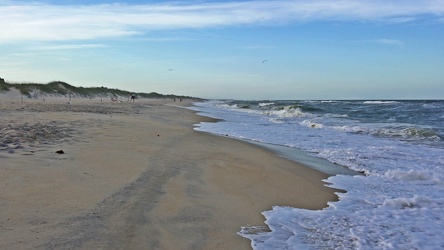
[(255, 50)]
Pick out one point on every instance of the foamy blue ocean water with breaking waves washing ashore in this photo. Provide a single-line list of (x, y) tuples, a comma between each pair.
[(398, 203)]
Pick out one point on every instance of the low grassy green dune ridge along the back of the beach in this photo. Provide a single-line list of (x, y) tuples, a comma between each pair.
[(32, 90)]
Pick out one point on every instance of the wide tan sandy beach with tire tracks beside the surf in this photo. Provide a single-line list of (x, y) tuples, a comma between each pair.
[(135, 176)]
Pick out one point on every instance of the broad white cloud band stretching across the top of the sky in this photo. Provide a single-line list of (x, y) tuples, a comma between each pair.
[(45, 22)]
